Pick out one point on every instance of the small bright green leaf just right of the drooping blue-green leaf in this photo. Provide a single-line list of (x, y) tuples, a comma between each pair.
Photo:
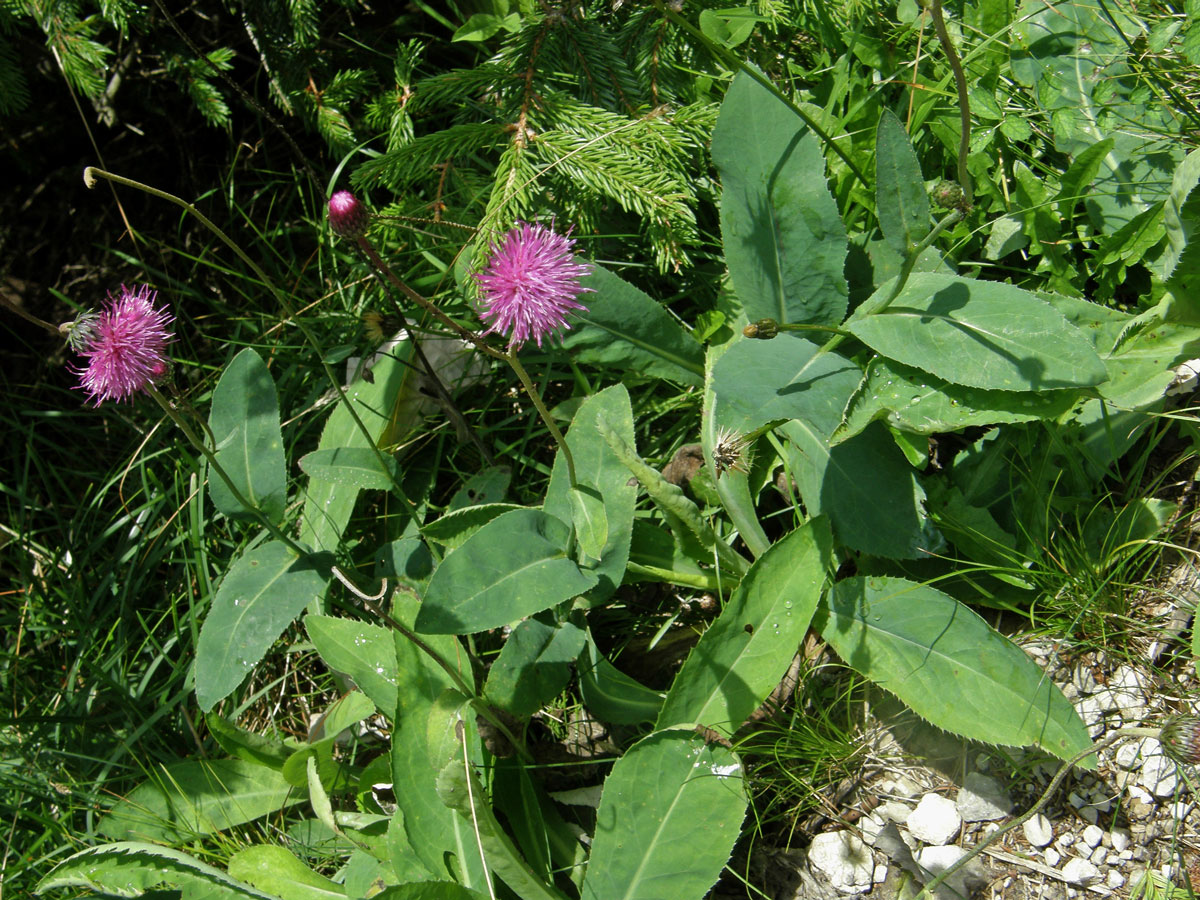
[(367, 653)]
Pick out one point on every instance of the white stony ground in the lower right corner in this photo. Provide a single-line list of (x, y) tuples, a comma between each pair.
[(1129, 829)]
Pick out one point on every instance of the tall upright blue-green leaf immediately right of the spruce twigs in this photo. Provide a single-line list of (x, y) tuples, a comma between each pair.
[(785, 244)]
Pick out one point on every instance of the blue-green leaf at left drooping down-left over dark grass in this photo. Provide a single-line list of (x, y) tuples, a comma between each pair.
[(260, 597)]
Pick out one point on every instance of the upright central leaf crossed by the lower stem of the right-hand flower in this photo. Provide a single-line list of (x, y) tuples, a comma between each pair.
[(601, 472)]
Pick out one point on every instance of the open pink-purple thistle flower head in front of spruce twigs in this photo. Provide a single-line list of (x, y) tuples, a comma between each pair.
[(531, 284)]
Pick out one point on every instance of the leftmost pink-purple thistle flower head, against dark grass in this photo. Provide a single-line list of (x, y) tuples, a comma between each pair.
[(128, 346)]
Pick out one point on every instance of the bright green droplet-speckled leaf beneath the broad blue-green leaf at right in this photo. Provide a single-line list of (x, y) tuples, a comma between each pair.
[(915, 401)]
